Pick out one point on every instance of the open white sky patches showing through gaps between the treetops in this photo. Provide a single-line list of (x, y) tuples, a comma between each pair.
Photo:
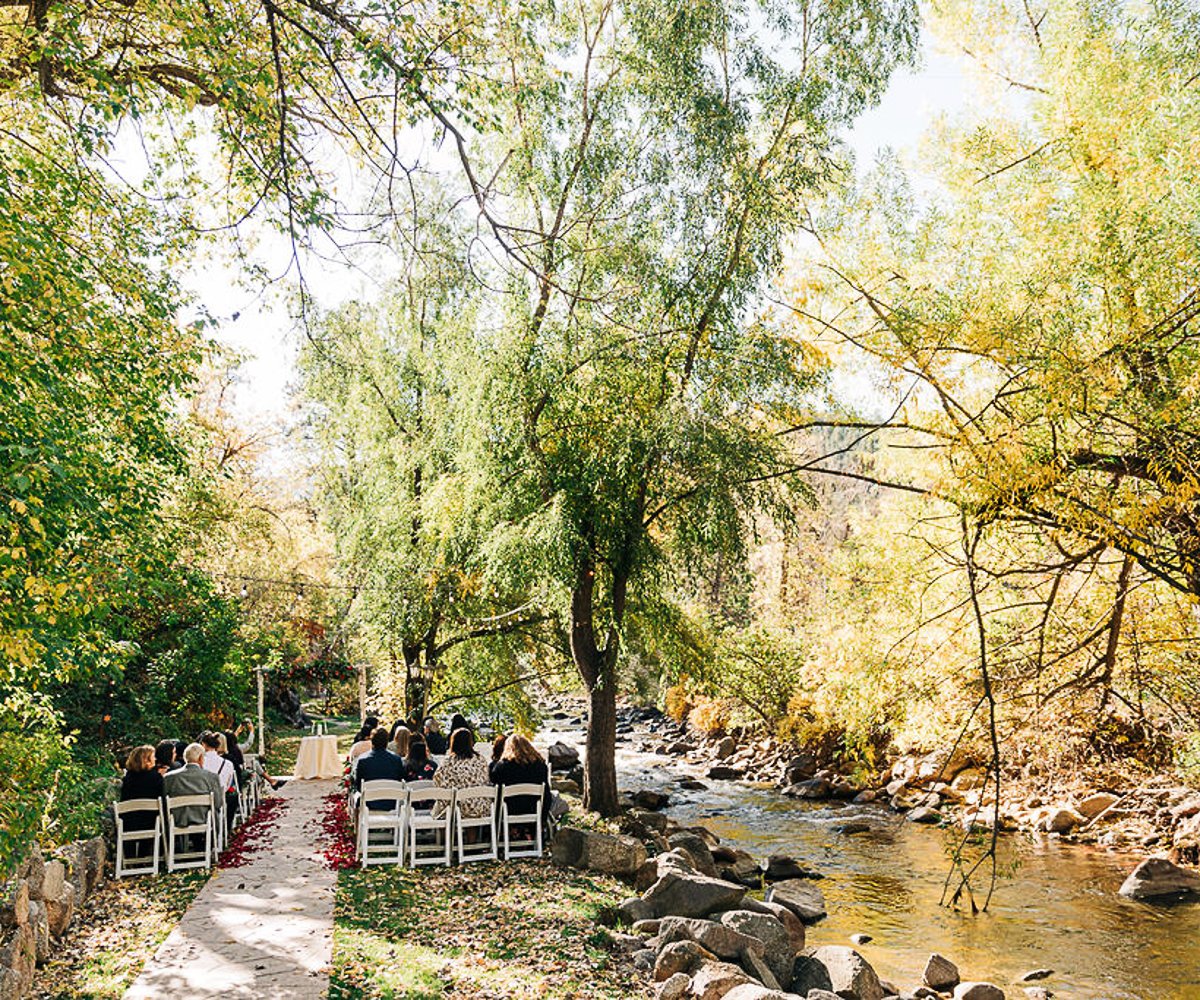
[(265, 334)]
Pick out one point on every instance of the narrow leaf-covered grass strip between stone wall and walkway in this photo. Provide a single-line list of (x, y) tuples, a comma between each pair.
[(121, 927)]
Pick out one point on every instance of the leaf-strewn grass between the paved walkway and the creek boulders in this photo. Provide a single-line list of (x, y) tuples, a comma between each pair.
[(515, 930)]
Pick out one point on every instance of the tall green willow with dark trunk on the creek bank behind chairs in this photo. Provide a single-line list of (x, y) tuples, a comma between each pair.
[(650, 164)]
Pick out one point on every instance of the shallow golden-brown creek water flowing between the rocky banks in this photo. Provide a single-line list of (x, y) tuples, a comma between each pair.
[(1055, 906)]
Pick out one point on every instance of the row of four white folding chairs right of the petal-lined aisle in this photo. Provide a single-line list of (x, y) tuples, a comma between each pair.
[(419, 809)]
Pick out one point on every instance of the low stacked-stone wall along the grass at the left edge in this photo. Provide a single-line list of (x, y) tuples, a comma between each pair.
[(38, 906)]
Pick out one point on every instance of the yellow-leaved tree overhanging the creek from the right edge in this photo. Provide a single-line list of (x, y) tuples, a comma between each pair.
[(1045, 303)]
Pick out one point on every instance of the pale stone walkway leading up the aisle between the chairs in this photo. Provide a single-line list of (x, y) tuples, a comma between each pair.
[(266, 930)]
